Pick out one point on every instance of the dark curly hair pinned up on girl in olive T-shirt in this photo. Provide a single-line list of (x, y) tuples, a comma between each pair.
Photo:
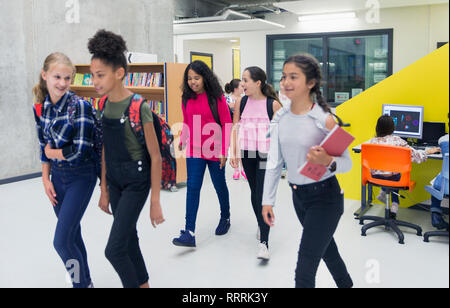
[(110, 48)]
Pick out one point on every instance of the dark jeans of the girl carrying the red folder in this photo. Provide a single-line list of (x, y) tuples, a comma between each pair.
[(319, 207)]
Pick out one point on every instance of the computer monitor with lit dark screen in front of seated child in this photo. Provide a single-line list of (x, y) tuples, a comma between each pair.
[(408, 120)]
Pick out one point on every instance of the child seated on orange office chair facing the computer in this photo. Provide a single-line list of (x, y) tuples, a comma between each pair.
[(385, 129)]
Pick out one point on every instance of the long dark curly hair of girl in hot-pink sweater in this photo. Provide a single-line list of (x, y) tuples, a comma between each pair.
[(211, 84)]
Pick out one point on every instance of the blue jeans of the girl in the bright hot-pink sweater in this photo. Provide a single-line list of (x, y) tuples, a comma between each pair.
[(196, 168)]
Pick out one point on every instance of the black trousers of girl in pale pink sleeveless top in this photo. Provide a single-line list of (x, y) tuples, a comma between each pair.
[(254, 164)]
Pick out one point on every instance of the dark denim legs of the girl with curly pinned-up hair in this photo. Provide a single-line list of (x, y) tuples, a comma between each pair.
[(128, 191)]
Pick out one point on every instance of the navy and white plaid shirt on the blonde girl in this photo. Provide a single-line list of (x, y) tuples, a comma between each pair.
[(67, 125)]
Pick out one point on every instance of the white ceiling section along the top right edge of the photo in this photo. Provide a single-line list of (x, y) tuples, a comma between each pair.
[(326, 6)]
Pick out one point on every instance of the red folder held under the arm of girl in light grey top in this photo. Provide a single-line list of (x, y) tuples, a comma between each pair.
[(335, 143)]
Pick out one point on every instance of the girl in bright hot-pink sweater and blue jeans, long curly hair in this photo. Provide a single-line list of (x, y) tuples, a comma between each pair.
[(205, 135)]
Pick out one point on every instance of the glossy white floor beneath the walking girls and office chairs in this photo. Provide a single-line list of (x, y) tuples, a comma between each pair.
[(27, 257)]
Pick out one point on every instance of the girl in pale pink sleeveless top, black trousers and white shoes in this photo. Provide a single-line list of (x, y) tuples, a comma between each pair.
[(252, 117)]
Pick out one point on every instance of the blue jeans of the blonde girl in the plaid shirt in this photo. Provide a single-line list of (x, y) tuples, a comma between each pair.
[(73, 187)]
